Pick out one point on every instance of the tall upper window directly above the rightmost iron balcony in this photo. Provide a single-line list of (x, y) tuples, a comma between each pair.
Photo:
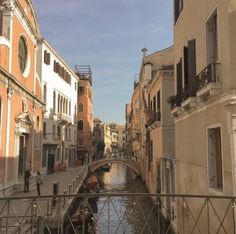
[(212, 39)]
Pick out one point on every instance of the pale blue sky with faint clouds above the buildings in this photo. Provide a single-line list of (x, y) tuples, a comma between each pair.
[(108, 35)]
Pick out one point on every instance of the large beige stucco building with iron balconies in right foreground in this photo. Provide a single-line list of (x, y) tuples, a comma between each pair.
[(204, 106)]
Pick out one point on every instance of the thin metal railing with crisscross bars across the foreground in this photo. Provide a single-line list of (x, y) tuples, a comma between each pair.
[(167, 214)]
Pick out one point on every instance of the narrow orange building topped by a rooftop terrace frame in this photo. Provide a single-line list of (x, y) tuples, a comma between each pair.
[(85, 112)]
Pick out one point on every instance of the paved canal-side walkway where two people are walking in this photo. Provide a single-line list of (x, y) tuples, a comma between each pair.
[(19, 204)]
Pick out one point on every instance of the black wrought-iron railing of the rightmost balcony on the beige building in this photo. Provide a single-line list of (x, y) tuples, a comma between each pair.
[(209, 74)]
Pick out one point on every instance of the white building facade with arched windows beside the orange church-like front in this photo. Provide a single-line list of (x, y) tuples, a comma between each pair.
[(59, 90)]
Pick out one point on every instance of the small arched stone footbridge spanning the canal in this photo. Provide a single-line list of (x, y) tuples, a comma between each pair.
[(135, 166)]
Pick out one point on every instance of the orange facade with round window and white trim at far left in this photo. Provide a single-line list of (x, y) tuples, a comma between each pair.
[(21, 105)]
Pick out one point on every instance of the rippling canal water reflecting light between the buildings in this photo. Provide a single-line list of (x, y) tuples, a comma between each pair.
[(124, 214)]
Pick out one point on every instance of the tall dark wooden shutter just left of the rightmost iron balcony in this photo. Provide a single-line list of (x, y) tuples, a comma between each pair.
[(191, 62)]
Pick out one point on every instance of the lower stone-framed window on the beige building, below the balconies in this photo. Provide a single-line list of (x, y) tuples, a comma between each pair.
[(215, 175)]
